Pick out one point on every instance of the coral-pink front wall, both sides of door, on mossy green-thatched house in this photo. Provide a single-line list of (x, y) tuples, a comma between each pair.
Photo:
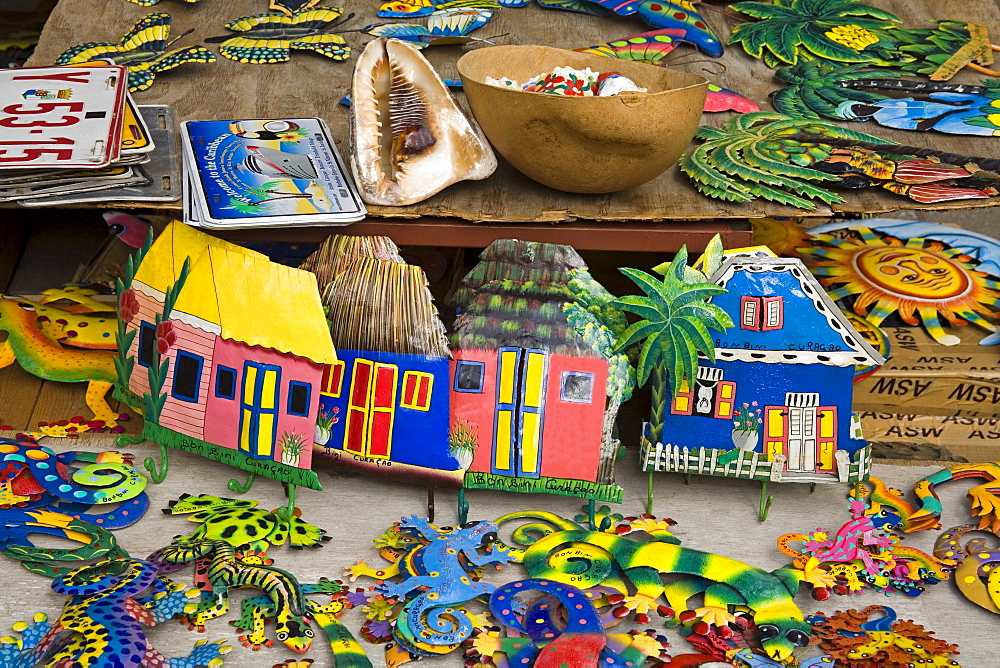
[(571, 432)]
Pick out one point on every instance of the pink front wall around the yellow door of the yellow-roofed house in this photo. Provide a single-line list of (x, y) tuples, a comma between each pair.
[(222, 421)]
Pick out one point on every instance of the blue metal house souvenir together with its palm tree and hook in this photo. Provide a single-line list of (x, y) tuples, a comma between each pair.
[(769, 396)]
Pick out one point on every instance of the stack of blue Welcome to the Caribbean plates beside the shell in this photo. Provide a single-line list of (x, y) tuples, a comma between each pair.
[(265, 173)]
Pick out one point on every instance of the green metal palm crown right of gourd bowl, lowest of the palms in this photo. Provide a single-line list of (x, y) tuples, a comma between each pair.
[(762, 155)]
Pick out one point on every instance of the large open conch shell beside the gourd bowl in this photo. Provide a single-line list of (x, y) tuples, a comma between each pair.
[(409, 138)]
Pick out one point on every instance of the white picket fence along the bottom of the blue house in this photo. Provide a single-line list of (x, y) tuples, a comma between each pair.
[(746, 465)]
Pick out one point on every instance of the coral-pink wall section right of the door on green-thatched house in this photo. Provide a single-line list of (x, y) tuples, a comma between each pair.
[(571, 434)]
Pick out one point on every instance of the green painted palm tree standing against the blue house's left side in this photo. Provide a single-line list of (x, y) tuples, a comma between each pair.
[(673, 330)]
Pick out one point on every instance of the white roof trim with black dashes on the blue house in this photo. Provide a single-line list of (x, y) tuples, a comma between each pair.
[(857, 350)]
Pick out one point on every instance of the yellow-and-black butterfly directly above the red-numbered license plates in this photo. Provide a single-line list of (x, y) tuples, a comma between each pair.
[(142, 50)]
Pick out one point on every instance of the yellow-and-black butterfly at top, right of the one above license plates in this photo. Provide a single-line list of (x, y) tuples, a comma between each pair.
[(270, 38)]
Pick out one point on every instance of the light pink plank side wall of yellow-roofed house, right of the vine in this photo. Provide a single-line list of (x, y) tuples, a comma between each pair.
[(187, 417)]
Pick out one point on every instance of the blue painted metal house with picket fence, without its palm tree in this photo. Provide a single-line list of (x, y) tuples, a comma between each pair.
[(778, 397)]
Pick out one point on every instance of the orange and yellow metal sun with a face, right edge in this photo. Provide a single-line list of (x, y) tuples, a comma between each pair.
[(920, 279)]
